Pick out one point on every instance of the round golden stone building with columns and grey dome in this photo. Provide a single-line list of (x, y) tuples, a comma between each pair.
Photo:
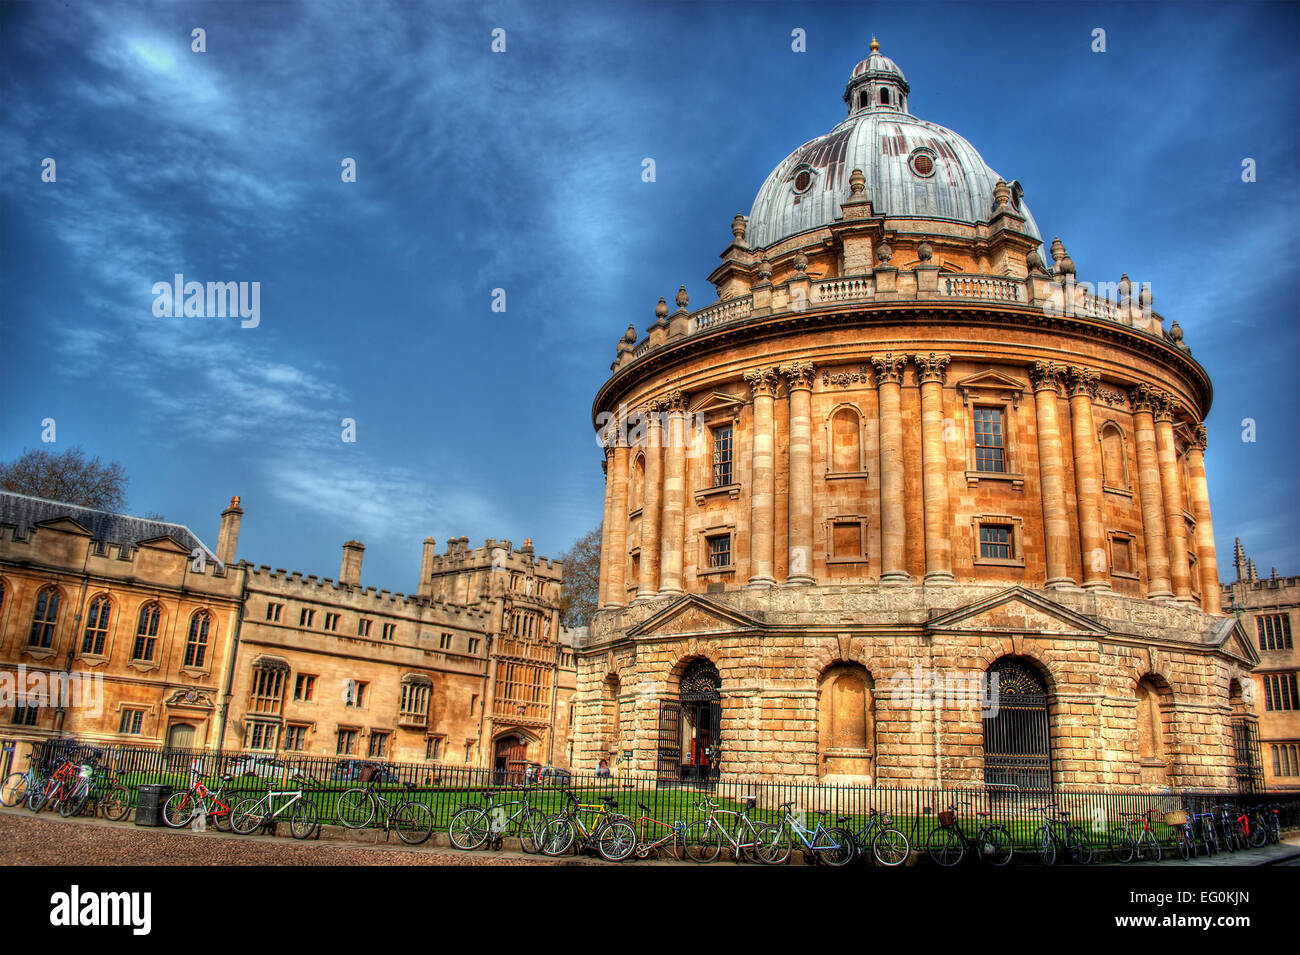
[(908, 503)]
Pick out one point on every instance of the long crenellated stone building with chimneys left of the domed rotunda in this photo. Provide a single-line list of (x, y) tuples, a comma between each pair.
[(473, 671)]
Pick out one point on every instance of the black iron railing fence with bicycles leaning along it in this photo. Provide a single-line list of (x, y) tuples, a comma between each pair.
[(447, 789)]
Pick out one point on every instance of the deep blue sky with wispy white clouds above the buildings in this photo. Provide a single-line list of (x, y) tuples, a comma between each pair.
[(522, 171)]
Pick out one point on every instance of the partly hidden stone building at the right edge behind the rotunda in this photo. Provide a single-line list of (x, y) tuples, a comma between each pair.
[(1269, 610)]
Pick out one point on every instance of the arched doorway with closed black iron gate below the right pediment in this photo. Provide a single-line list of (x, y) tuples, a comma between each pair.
[(1017, 740)]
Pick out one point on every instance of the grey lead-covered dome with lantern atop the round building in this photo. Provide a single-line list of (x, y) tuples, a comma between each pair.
[(915, 170)]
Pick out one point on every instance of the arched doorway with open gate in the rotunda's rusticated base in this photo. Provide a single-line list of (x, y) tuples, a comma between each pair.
[(691, 726)]
